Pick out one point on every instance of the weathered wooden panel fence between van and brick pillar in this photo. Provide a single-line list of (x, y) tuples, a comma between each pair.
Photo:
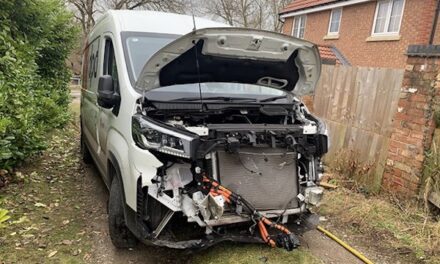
[(358, 105)]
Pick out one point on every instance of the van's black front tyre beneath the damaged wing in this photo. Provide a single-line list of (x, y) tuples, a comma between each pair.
[(120, 235)]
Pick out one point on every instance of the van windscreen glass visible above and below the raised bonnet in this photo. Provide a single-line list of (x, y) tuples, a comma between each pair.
[(138, 49)]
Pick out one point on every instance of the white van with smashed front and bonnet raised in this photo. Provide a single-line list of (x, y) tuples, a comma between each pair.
[(197, 130)]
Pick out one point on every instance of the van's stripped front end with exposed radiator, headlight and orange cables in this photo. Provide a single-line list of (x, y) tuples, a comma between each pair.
[(225, 164)]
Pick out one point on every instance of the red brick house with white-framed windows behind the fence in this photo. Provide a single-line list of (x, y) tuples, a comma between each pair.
[(373, 33)]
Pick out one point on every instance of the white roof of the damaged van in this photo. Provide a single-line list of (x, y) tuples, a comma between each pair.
[(157, 22)]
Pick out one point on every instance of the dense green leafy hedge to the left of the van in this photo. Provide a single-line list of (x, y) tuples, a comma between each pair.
[(35, 40)]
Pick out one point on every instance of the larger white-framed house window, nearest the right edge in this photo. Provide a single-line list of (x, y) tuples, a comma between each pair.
[(388, 17)]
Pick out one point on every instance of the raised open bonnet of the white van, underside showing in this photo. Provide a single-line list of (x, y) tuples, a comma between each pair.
[(234, 55)]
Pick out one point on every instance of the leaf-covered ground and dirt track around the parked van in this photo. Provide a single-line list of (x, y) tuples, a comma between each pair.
[(59, 208)]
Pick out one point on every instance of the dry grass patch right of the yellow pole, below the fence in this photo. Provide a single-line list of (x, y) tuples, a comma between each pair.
[(404, 229)]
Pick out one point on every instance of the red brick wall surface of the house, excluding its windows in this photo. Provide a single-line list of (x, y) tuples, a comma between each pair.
[(356, 27)]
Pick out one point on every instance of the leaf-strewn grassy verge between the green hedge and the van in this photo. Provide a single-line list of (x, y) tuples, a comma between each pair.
[(44, 199)]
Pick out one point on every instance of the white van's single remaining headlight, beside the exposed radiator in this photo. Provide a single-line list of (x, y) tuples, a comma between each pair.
[(154, 135)]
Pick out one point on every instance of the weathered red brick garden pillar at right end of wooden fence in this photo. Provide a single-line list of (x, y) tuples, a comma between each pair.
[(413, 125)]
